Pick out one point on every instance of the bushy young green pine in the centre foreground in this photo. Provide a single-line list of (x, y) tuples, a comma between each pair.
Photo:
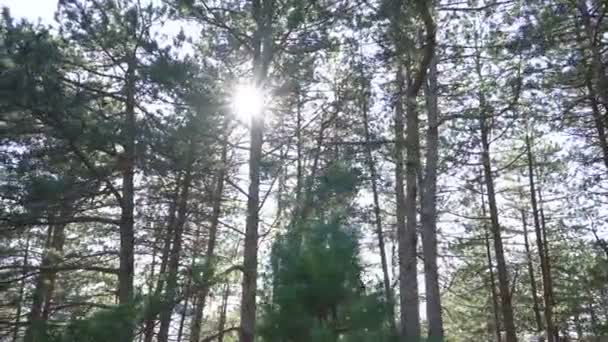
[(317, 290)]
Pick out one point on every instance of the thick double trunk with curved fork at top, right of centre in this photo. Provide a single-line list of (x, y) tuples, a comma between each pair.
[(406, 203)]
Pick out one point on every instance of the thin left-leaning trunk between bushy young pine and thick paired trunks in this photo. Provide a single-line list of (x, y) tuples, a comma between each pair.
[(378, 216)]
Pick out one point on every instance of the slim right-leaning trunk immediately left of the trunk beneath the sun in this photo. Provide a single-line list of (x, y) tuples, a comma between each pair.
[(202, 290)]
